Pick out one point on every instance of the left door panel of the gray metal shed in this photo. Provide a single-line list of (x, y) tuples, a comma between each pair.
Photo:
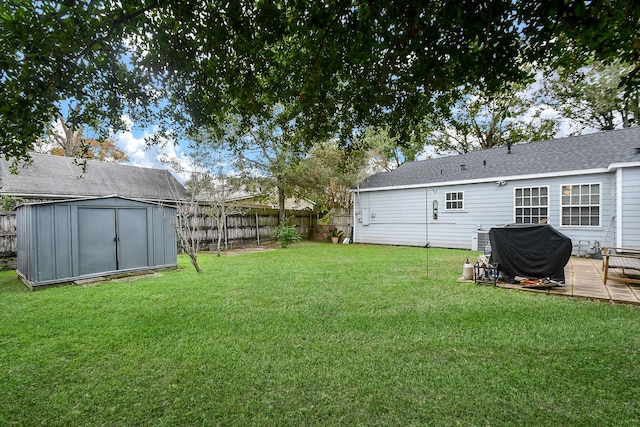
[(96, 240)]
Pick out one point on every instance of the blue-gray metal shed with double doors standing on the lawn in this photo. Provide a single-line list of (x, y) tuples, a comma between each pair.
[(64, 241)]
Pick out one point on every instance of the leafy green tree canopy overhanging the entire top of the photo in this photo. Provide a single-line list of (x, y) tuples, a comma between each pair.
[(338, 64)]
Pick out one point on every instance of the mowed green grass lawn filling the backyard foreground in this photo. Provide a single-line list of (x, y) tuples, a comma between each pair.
[(315, 334)]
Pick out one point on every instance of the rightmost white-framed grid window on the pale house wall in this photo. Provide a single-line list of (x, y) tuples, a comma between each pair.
[(581, 205)]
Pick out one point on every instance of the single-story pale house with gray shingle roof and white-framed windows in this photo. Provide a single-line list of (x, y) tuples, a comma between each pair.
[(587, 187)]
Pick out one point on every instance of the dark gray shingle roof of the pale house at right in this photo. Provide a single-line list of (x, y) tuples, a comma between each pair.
[(585, 152)]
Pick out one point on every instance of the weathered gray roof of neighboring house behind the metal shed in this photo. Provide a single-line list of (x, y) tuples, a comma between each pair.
[(55, 177)]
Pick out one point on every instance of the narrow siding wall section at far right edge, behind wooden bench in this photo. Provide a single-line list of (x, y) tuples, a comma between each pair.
[(630, 208)]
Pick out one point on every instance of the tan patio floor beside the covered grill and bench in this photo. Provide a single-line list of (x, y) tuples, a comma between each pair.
[(583, 277)]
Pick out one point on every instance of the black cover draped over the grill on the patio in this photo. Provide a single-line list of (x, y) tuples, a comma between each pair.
[(530, 250)]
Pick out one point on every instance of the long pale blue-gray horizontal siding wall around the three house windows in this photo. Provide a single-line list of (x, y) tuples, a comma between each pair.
[(397, 216)]
